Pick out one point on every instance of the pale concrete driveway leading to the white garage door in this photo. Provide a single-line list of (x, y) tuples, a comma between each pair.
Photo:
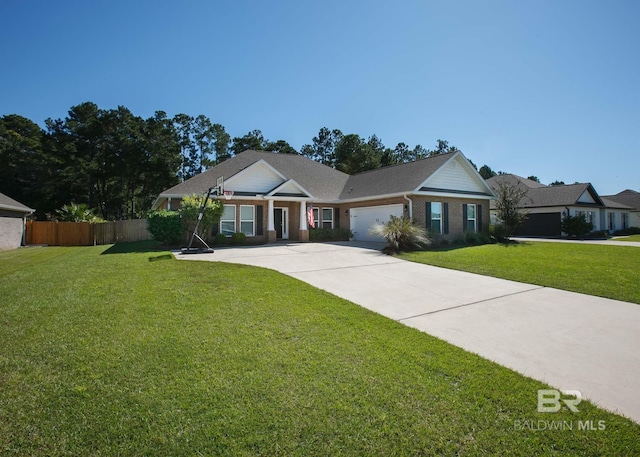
[(568, 340)]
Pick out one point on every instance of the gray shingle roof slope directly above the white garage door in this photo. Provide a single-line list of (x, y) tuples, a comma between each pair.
[(395, 179)]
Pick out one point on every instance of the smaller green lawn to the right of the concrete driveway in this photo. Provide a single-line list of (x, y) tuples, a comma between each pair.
[(605, 271)]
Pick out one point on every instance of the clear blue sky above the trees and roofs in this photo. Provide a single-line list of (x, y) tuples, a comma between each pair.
[(545, 88)]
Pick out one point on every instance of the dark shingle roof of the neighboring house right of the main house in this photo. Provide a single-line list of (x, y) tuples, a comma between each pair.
[(581, 194)]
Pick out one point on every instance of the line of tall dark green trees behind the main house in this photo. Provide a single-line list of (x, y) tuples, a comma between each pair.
[(117, 163)]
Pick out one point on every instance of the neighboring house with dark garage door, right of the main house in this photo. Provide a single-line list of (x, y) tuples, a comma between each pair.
[(548, 205)]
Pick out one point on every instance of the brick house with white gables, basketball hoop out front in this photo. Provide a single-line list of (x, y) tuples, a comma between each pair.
[(272, 194)]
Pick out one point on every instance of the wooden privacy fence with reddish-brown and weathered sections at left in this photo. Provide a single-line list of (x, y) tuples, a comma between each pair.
[(86, 233)]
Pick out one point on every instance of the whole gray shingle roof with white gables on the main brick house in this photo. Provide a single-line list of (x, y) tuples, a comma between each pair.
[(267, 173)]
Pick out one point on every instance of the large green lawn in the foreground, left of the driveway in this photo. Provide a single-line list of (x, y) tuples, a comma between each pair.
[(110, 352)]
